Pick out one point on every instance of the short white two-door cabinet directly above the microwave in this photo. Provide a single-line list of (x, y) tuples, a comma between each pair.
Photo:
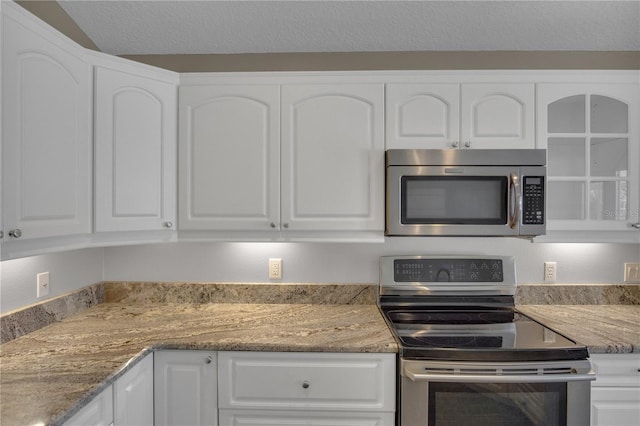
[(473, 115)]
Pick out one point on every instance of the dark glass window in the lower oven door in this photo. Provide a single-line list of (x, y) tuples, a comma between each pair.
[(491, 404)]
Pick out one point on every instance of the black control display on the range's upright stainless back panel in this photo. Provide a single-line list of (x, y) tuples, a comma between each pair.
[(448, 270)]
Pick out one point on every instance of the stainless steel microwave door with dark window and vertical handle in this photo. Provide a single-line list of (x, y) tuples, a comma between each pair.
[(460, 200)]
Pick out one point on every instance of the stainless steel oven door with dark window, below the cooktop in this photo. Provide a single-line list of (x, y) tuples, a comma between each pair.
[(542, 394)]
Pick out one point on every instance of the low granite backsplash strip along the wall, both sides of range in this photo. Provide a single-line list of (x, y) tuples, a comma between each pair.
[(23, 321)]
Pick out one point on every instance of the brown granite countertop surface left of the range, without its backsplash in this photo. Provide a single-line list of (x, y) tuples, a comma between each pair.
[(50, 373)]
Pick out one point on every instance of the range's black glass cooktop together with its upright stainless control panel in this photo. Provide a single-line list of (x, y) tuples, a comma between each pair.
[(470, 318)]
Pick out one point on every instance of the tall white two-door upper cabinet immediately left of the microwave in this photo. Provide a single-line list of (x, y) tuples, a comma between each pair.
[(258, 166)]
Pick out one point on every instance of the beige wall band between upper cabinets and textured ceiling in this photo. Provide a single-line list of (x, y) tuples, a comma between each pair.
[(52, 13)]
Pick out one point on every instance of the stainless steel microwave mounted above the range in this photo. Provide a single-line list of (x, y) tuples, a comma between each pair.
[(472, 192)]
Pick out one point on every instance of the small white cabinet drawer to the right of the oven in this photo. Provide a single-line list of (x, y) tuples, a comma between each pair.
[(616, 369)]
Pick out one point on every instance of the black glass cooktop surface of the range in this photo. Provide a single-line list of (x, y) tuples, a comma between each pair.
[(477, 334)]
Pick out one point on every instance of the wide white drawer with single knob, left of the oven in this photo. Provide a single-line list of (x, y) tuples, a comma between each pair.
[(293, 380)]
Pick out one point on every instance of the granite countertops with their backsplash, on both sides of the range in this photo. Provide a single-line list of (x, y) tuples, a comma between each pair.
[(97, 333)]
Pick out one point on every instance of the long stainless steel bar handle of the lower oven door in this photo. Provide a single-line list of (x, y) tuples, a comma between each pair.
[(489, 378)]
